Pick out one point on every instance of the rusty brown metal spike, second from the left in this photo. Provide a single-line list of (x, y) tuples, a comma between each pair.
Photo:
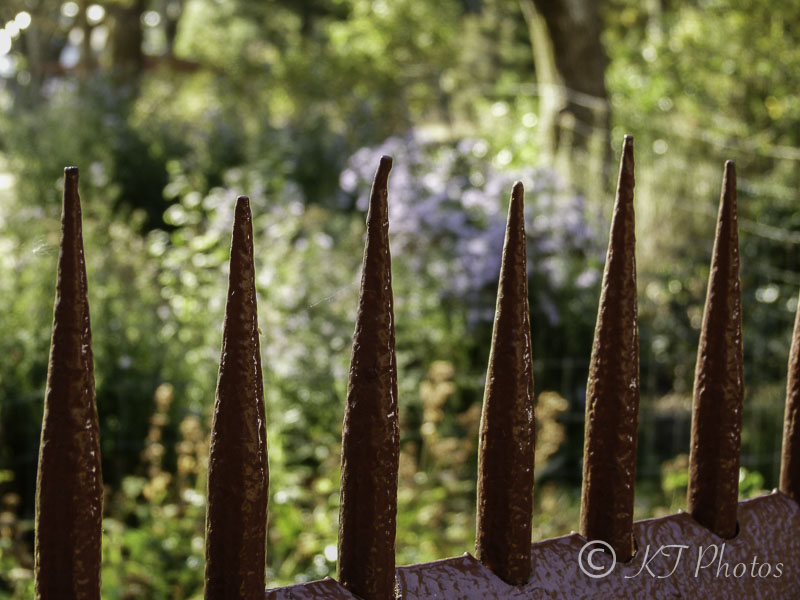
[(238, 476)]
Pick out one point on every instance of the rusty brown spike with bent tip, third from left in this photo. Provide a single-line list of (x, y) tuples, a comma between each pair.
[(370, 435)]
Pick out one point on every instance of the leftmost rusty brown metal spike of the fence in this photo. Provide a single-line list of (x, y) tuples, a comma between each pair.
[(69, 494)]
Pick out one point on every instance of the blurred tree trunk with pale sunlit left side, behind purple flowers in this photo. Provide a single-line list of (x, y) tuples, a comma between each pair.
[(570, 66)]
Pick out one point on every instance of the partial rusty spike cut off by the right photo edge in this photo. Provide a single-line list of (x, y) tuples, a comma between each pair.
[(790, 456)]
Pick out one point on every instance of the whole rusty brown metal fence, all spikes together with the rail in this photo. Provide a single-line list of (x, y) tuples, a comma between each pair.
[(507, 565)]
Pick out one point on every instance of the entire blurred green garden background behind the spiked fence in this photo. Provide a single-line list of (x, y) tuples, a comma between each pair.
[(173, 107)]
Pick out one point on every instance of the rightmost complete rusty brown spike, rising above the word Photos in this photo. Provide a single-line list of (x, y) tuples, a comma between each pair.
[(719, 381)]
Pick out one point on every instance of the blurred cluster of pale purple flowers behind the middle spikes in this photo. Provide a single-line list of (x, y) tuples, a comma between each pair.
[(447, 209)]
